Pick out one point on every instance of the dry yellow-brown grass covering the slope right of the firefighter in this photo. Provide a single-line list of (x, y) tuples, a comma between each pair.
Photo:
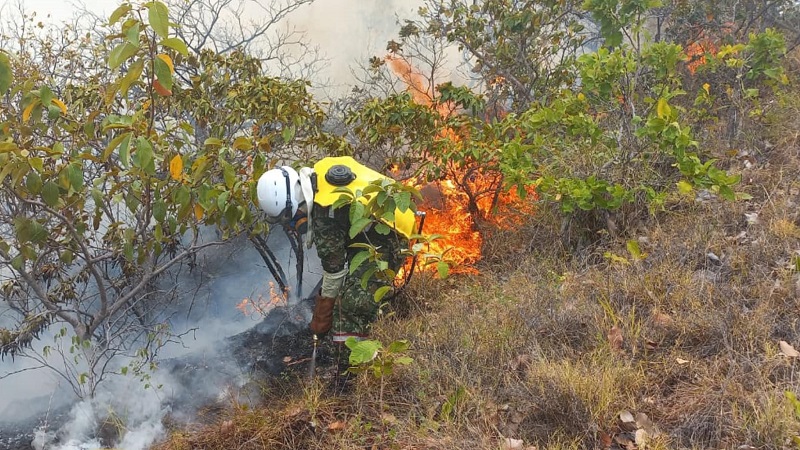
[(526, 350)]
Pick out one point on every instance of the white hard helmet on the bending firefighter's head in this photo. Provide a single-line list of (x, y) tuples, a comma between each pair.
[(279, 194)]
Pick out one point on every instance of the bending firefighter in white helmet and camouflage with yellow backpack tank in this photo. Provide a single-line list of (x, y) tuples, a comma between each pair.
[(303, 201)]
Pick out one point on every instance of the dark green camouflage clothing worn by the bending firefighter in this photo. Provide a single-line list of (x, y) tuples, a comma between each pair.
[(356, 308)]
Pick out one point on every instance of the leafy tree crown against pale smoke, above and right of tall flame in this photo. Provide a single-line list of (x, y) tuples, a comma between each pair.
[(519, 49)]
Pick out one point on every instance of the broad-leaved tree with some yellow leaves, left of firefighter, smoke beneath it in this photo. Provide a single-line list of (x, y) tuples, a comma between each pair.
[(110, 173)]
